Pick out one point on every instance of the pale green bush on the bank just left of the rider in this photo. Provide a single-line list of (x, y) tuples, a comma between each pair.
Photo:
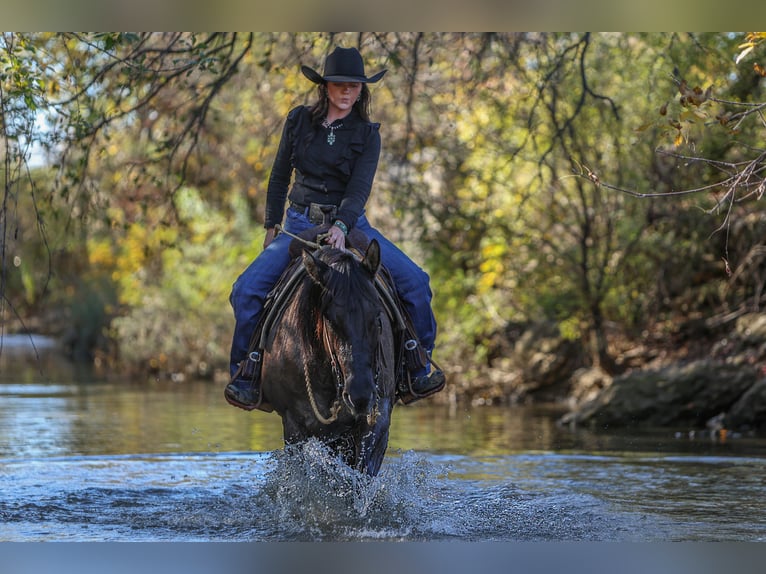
[(177, 319)]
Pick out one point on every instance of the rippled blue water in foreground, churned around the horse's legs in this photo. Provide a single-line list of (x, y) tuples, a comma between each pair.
[(303, 493)]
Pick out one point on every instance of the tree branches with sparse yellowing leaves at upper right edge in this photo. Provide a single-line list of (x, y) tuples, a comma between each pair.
[(711, 131)]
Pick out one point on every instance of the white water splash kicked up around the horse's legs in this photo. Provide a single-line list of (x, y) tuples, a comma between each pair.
[(310, 494)]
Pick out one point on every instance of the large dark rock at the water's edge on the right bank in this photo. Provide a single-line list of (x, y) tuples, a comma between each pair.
[(688, 394)]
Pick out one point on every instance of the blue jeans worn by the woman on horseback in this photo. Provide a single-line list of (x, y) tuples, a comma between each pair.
[(251, 288)]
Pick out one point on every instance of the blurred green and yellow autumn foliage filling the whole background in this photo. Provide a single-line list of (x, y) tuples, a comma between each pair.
[(504, 166)]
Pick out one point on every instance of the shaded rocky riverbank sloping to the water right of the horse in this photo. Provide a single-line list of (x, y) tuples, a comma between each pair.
[(711, 376)]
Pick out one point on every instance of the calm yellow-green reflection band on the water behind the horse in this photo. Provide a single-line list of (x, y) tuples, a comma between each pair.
[(39, 419)]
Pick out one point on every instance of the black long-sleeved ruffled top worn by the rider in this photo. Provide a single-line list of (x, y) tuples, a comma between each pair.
[(340, 174)]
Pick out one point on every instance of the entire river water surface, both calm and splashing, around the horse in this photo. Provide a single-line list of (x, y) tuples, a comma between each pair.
[(160, 461)]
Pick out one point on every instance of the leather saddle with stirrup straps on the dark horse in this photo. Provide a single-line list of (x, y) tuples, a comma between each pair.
[(409, 354)]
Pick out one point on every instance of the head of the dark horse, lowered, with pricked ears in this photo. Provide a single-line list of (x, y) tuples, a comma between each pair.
[(350, 325)]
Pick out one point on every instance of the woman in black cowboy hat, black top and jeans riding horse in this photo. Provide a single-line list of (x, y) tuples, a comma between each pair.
[(332, 149)]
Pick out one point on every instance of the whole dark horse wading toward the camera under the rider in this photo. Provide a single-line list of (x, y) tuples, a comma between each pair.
[(330, 370)]
